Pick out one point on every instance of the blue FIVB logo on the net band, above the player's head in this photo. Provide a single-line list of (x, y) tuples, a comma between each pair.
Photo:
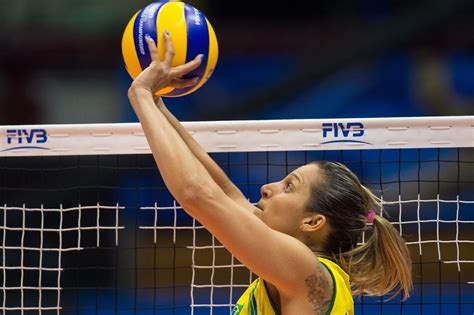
[(343, 132)]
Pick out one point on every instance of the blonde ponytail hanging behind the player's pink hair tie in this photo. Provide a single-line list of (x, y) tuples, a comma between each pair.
[(382, 265)]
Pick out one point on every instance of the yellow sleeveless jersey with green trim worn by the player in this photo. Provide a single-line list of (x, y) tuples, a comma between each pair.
[(256, 301)]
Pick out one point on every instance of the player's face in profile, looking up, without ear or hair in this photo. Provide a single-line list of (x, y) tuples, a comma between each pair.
[(282, 205)]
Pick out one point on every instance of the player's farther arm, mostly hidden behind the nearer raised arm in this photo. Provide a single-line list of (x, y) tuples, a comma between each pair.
[(219, 176)]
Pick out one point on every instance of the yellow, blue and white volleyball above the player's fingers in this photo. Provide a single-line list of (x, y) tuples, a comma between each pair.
[(191, 35)]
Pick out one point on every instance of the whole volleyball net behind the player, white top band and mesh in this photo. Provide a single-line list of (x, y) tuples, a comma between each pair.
[(87, 225)]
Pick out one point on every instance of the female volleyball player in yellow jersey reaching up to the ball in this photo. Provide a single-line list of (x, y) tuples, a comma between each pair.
[(301, 239)]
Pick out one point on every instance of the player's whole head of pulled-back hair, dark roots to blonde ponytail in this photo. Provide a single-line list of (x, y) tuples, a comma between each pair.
[(382, 265)]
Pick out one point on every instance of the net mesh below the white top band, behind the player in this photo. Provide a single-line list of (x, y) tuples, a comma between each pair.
[(102, 235)]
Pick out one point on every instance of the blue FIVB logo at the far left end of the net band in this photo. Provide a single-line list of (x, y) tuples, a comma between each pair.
[(26, 139)]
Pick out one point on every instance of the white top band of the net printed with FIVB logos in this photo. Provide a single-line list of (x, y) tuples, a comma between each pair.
[(245, 136)]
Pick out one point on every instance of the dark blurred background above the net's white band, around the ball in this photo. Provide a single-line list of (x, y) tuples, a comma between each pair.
[(60, 60)]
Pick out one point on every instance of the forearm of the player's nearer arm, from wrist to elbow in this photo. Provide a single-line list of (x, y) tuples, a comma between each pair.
[(179, 168)]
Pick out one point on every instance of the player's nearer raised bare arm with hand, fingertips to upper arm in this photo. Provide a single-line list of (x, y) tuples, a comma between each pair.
[(278, 258)]
